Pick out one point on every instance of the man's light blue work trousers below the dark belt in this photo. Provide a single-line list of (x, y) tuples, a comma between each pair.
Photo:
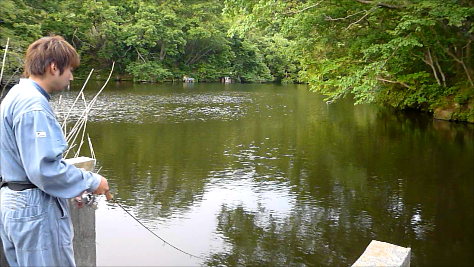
[(36, 229)]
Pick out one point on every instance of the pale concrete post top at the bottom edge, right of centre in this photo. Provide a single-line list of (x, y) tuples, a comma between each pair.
[(384, 254)]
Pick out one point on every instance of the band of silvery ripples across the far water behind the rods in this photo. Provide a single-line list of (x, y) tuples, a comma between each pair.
[(172, 108)]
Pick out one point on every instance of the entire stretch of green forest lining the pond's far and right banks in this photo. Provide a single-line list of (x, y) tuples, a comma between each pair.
[(401, 53)]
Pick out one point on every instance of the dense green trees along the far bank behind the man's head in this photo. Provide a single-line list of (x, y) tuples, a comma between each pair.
[(150, 40)]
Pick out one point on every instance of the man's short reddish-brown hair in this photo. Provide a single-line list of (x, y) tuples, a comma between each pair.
[(47, 50)]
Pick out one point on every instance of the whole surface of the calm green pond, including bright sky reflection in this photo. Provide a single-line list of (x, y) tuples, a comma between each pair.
[(269, 175)]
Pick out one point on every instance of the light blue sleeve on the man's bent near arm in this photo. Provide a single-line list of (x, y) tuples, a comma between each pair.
[(41, 145)]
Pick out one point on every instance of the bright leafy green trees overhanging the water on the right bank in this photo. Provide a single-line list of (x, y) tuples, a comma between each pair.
[(407, 54)]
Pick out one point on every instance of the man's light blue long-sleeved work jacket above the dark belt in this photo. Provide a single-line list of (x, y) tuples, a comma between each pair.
[(32, 145)]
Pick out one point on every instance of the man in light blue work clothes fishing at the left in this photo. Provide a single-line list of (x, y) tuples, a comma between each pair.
[(34, 224)]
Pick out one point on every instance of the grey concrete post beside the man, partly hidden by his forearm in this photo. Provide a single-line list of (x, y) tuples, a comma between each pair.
[(83, 221)]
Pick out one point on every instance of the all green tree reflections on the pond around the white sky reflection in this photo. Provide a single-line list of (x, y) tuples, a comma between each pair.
[(356, 173)]
